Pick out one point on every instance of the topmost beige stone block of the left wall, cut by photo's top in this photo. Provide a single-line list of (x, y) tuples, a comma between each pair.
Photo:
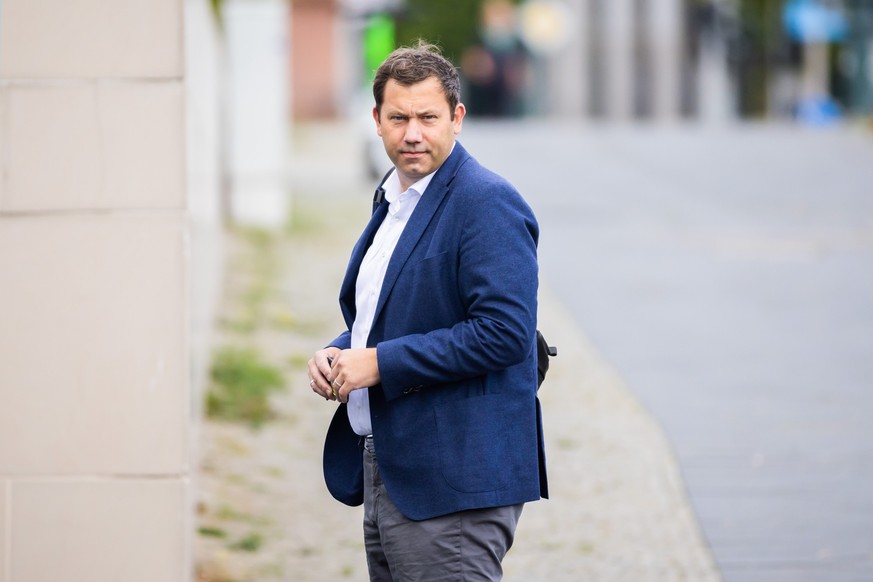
[(91, 38)]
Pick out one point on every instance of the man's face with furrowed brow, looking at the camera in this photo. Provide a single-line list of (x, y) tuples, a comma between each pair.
[(417, 128)]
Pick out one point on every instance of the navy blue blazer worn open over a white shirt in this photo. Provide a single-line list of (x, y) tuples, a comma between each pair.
[(456, 419)]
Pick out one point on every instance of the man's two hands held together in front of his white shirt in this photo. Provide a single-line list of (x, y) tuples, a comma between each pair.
[(335, 373)]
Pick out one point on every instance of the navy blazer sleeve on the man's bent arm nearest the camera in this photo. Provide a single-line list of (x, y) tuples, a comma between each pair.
[(496, 282)]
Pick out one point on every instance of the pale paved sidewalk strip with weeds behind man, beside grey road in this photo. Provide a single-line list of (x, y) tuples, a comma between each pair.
[(618, 509)]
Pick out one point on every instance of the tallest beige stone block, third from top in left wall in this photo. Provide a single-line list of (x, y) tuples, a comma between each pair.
[(94, 375)]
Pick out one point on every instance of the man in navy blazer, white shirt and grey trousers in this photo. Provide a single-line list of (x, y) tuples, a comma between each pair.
[(438, 431)]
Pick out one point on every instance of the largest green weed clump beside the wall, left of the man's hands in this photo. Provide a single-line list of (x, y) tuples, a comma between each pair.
[(241, 386)]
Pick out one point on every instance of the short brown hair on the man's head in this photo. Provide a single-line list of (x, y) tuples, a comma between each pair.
[(410, 65)]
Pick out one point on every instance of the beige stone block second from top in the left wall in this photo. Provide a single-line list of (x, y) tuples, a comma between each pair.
[(105, 145)]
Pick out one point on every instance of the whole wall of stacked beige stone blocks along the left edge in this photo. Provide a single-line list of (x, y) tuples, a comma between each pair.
[(94, 357)]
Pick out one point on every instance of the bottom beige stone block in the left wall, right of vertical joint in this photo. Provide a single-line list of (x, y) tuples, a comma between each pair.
[(99, 531)]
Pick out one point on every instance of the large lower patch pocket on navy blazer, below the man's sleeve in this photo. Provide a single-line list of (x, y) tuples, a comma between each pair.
[(468, 432)]
